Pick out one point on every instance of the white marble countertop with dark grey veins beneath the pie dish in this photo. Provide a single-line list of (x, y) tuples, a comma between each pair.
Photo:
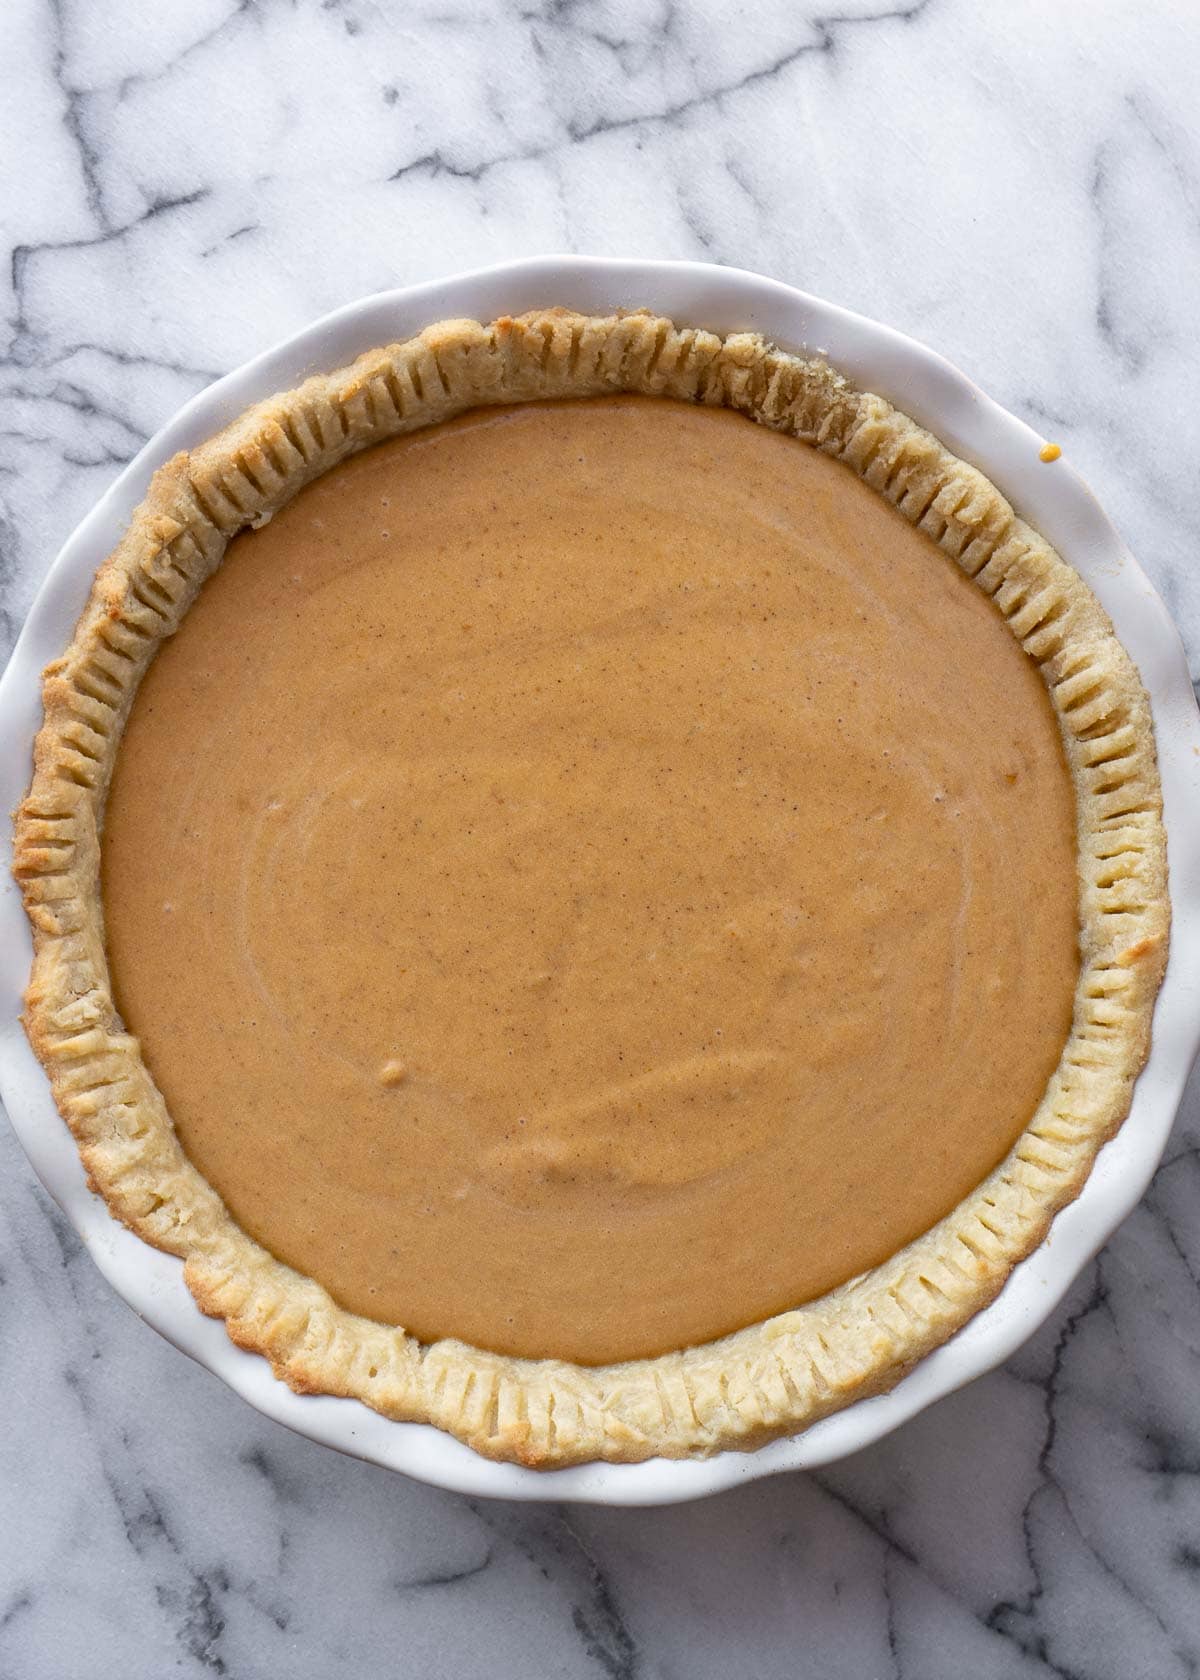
[(1018, 186)]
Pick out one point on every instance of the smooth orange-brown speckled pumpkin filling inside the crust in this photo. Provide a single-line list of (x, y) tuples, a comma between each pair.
[(591, 876)]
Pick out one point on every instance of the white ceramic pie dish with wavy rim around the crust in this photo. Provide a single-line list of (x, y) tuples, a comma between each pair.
[(1051, 498)]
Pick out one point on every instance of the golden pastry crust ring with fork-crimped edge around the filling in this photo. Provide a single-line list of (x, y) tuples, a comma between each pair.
[(772, 1378)]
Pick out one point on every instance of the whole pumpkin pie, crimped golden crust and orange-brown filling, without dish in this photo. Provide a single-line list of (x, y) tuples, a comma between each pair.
[(665, 908)]
